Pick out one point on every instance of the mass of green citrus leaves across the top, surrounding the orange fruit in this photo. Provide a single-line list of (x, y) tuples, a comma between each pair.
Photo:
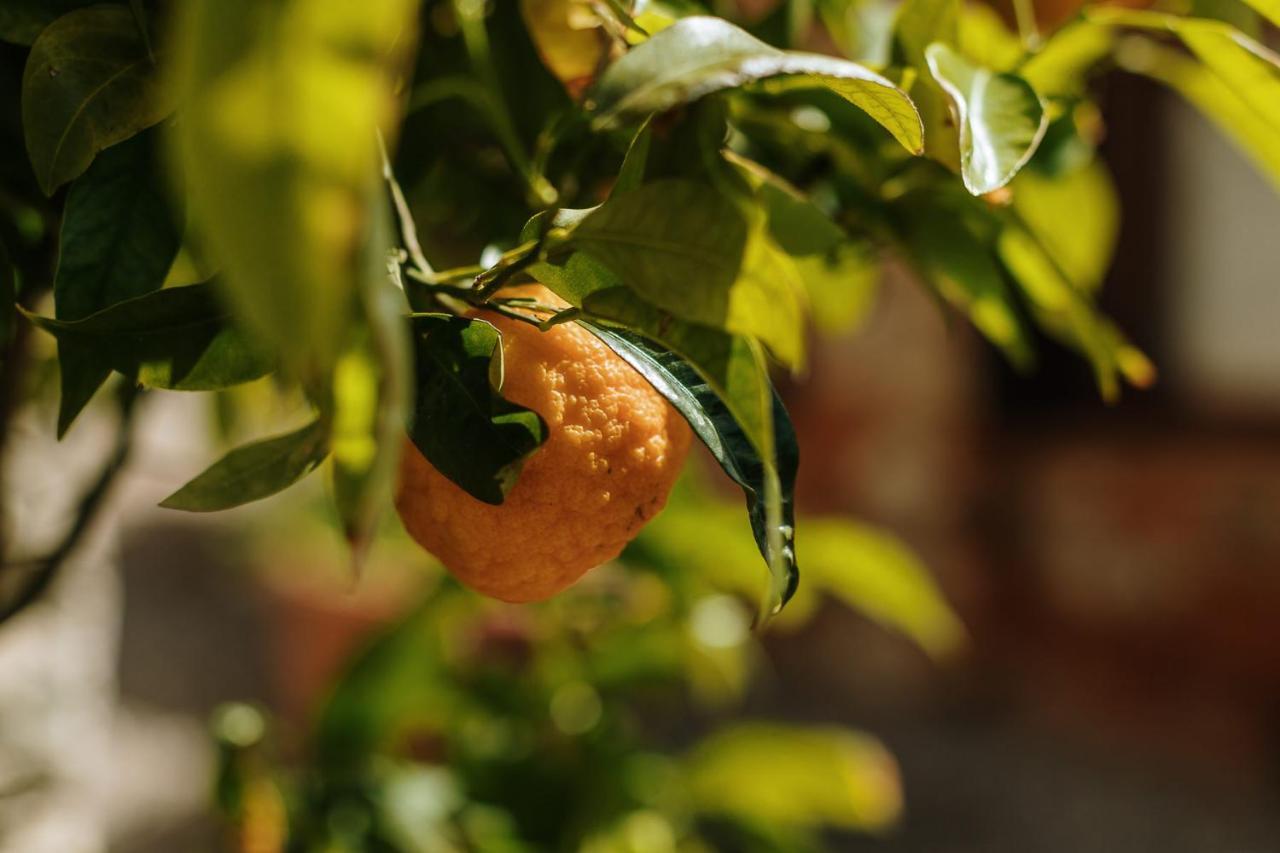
[(693, 188)]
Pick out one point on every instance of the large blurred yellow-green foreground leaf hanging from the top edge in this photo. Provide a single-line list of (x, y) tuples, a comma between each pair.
[(280, 150)]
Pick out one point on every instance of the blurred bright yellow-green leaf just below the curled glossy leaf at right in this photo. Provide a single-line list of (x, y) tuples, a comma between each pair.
[(1081, 247)]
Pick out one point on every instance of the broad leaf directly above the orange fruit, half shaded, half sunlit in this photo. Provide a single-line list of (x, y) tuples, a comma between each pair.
[(689, 250)]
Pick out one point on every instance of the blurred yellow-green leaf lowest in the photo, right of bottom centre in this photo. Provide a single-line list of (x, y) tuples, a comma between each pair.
[(793, 777)]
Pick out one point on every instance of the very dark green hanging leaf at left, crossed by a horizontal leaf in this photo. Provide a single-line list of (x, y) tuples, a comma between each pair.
[(118, 240)]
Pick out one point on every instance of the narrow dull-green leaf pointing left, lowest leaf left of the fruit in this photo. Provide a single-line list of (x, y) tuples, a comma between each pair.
[(254, 472)]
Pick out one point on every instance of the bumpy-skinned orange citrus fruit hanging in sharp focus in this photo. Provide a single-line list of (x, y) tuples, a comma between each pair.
[(614, 450)]
